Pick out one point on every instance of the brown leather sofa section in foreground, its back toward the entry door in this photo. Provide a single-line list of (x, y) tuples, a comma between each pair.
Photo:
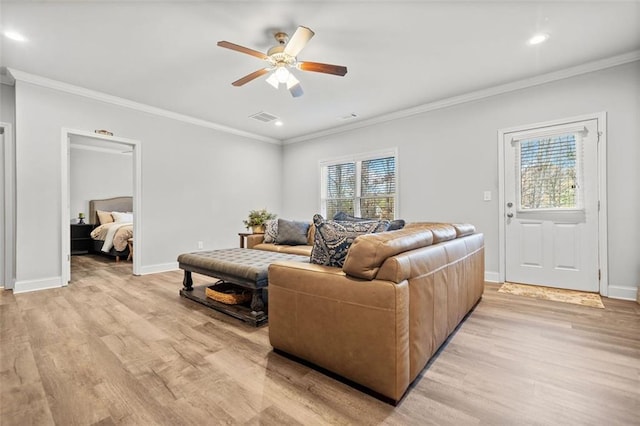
[(379, 319)]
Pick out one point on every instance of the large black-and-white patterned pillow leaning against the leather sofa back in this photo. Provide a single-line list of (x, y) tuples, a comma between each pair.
[(333, 238)]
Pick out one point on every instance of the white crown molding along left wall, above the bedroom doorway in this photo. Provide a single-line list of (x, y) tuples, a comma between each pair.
[(103, 97)]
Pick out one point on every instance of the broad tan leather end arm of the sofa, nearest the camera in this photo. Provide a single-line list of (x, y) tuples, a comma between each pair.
[(309, 306)]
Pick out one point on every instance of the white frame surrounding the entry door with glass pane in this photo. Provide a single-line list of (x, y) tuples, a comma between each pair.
[(601, 118)]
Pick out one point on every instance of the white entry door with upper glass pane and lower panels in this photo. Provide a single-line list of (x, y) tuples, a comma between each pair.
[(551, 196)]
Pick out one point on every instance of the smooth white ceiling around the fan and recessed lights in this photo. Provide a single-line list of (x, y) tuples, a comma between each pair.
[(399, 54)]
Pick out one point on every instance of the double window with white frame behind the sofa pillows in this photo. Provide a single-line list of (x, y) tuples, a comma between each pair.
[(364, 186)]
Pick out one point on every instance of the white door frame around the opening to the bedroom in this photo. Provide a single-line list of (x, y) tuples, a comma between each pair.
[(136, 147)]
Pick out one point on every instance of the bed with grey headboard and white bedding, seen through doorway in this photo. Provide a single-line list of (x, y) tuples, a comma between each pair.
[(113, 220)]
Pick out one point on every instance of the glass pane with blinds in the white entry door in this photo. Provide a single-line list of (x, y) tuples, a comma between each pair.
[(548, 173)]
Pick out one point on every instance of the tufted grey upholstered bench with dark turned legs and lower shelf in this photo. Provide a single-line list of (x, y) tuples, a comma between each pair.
[(244, 267)]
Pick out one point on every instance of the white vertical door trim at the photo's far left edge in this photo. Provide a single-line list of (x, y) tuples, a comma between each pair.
[(9, 208)]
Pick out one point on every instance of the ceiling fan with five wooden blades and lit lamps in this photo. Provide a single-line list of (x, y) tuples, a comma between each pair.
[(283, 57)]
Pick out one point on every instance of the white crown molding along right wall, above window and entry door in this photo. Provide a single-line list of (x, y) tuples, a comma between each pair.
[(477, 95)]
